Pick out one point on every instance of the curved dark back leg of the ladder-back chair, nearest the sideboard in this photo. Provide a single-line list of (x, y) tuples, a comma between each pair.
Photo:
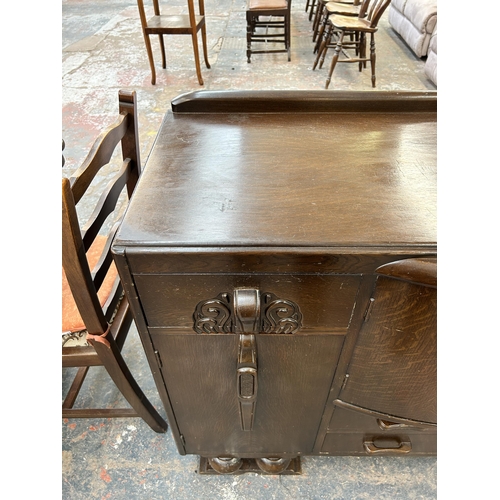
[(114, 363)]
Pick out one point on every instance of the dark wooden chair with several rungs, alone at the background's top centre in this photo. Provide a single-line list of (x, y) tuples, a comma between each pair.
[(268, 21)]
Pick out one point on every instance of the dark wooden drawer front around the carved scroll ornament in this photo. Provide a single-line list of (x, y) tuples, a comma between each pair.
[(326, 302)]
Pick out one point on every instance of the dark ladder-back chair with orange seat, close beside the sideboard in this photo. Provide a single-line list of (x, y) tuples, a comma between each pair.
[(96, 314)]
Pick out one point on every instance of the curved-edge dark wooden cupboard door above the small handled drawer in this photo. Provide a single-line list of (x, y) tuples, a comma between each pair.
[(393, 369)]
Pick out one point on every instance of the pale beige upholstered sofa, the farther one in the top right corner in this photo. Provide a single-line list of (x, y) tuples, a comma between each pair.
[(415, 21)]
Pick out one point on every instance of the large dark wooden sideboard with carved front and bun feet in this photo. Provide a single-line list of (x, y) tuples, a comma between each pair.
[(279, 255)]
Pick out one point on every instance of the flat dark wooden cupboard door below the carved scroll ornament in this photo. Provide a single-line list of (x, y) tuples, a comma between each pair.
[(294, 377)]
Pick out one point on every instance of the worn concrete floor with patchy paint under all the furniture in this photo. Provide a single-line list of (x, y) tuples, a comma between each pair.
[(103, 51)]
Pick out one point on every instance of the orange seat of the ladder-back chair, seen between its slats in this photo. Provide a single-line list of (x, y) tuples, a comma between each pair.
[(71, 319)]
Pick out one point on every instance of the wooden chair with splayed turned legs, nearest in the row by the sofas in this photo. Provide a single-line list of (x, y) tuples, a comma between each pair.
[(360, 27)]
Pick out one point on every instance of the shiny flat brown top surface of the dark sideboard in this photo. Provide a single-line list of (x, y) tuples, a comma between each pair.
[(301, 179)]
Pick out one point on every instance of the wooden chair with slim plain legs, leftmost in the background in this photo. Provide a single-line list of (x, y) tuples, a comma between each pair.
[(186, 24)]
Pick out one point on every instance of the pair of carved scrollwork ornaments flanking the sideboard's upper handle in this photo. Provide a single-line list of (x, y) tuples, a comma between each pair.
[(277, 316)]
